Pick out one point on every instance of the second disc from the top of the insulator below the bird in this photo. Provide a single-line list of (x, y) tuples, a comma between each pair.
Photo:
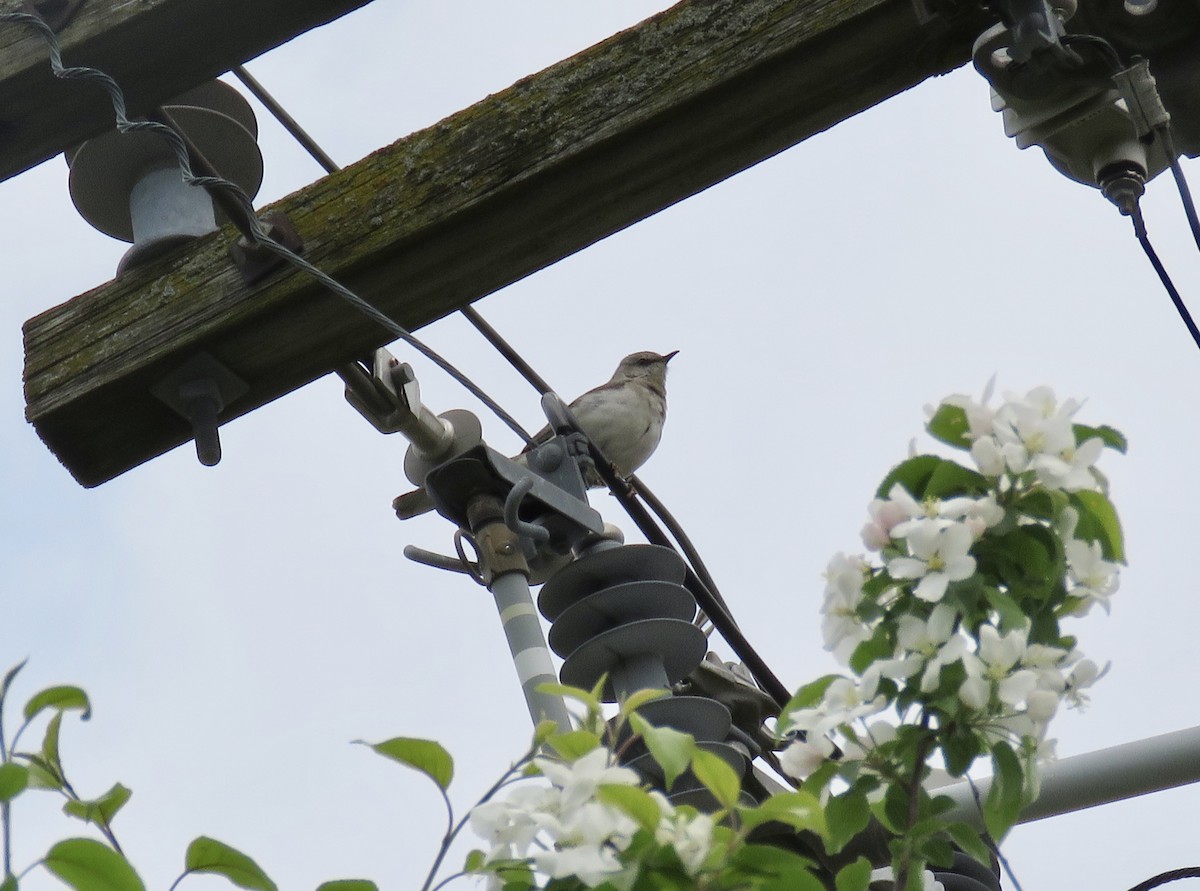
[(608, 608)]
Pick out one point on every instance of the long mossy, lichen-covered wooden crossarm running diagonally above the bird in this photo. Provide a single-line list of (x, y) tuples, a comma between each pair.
[(488, 196)]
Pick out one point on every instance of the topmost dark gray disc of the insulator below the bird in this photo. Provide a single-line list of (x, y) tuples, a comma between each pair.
[(603, 570)]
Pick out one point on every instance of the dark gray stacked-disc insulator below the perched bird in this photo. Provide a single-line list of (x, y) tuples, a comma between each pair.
[(625, 613)]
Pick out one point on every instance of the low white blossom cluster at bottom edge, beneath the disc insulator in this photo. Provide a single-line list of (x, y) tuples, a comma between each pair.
[(565, 829)]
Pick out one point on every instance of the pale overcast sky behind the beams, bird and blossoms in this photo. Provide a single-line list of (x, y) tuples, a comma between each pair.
[(239, 626)]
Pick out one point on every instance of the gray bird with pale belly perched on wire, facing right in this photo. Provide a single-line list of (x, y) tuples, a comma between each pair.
[(623, 418)]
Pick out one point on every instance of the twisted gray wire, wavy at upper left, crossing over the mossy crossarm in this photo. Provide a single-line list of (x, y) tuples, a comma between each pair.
[(257, 235)]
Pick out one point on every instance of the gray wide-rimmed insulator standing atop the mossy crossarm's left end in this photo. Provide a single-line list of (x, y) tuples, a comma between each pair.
[(130, 186)]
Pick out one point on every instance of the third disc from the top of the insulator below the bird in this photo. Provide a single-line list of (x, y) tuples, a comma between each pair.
[(681, 645)]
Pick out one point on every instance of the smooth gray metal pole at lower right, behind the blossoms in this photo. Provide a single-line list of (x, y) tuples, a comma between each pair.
[(1099, 778)]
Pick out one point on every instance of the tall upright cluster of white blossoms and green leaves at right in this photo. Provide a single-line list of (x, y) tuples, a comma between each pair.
[(956, 617)]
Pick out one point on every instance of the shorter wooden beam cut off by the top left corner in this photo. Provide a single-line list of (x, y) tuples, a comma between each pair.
[(155, 50)]
